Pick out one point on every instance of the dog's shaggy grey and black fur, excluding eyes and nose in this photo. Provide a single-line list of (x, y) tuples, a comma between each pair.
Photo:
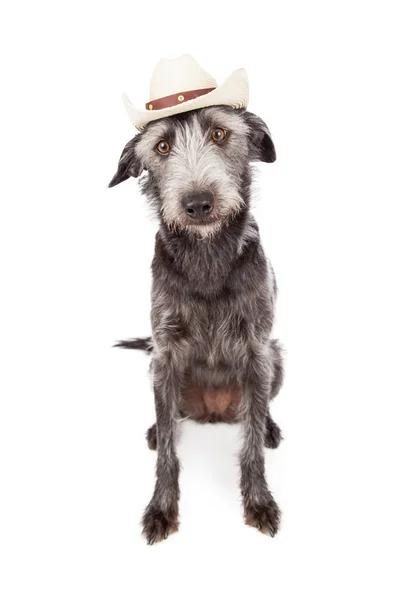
[(213, 300)]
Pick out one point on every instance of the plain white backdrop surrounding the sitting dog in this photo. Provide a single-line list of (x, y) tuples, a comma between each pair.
[(76, 473)]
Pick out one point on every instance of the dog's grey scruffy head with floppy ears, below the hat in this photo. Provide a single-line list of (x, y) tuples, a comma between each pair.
[(197, 165)]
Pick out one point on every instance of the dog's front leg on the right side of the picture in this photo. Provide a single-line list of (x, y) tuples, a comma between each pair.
[(260, 508)]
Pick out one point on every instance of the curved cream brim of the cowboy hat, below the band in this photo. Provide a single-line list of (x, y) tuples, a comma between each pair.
[(233, 92)]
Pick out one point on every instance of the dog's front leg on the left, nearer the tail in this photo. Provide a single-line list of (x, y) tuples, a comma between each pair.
[(161, 515)]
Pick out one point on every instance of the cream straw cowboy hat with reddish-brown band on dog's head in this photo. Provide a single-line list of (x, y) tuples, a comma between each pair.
[(180, 85)]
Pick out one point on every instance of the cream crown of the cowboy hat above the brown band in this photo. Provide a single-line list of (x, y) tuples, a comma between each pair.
[(181, 74)]
